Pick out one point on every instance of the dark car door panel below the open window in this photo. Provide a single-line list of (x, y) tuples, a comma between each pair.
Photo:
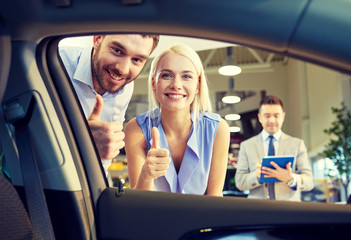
[(135, 214)]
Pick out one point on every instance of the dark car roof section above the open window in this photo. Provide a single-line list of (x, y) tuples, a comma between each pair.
[(315, 31)]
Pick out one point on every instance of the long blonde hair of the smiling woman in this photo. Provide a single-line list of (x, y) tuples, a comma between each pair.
[(202, 102)]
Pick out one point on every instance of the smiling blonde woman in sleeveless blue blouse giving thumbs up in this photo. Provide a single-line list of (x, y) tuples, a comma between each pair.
[(178, 145)]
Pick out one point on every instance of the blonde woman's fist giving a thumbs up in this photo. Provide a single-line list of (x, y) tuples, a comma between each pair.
[(157, 160)]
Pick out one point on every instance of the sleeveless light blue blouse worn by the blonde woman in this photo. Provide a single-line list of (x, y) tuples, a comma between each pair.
[(193, 174)]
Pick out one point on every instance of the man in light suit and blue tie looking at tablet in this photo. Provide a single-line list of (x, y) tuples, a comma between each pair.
[(293, 179)]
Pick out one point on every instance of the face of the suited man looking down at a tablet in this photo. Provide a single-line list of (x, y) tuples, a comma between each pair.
[(271, 117)]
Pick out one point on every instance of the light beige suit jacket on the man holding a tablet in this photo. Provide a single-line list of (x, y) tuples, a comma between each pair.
[(250, 155)]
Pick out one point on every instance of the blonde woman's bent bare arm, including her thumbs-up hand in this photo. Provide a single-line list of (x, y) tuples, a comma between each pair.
[(142, 168)]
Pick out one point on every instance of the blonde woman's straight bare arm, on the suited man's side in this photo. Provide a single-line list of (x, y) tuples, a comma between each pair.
[(219, 160)]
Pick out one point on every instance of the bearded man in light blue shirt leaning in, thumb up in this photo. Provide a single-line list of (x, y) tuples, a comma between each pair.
[(103, 80)]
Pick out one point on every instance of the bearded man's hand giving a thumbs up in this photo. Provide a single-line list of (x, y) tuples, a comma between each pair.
[(108, 136)]
